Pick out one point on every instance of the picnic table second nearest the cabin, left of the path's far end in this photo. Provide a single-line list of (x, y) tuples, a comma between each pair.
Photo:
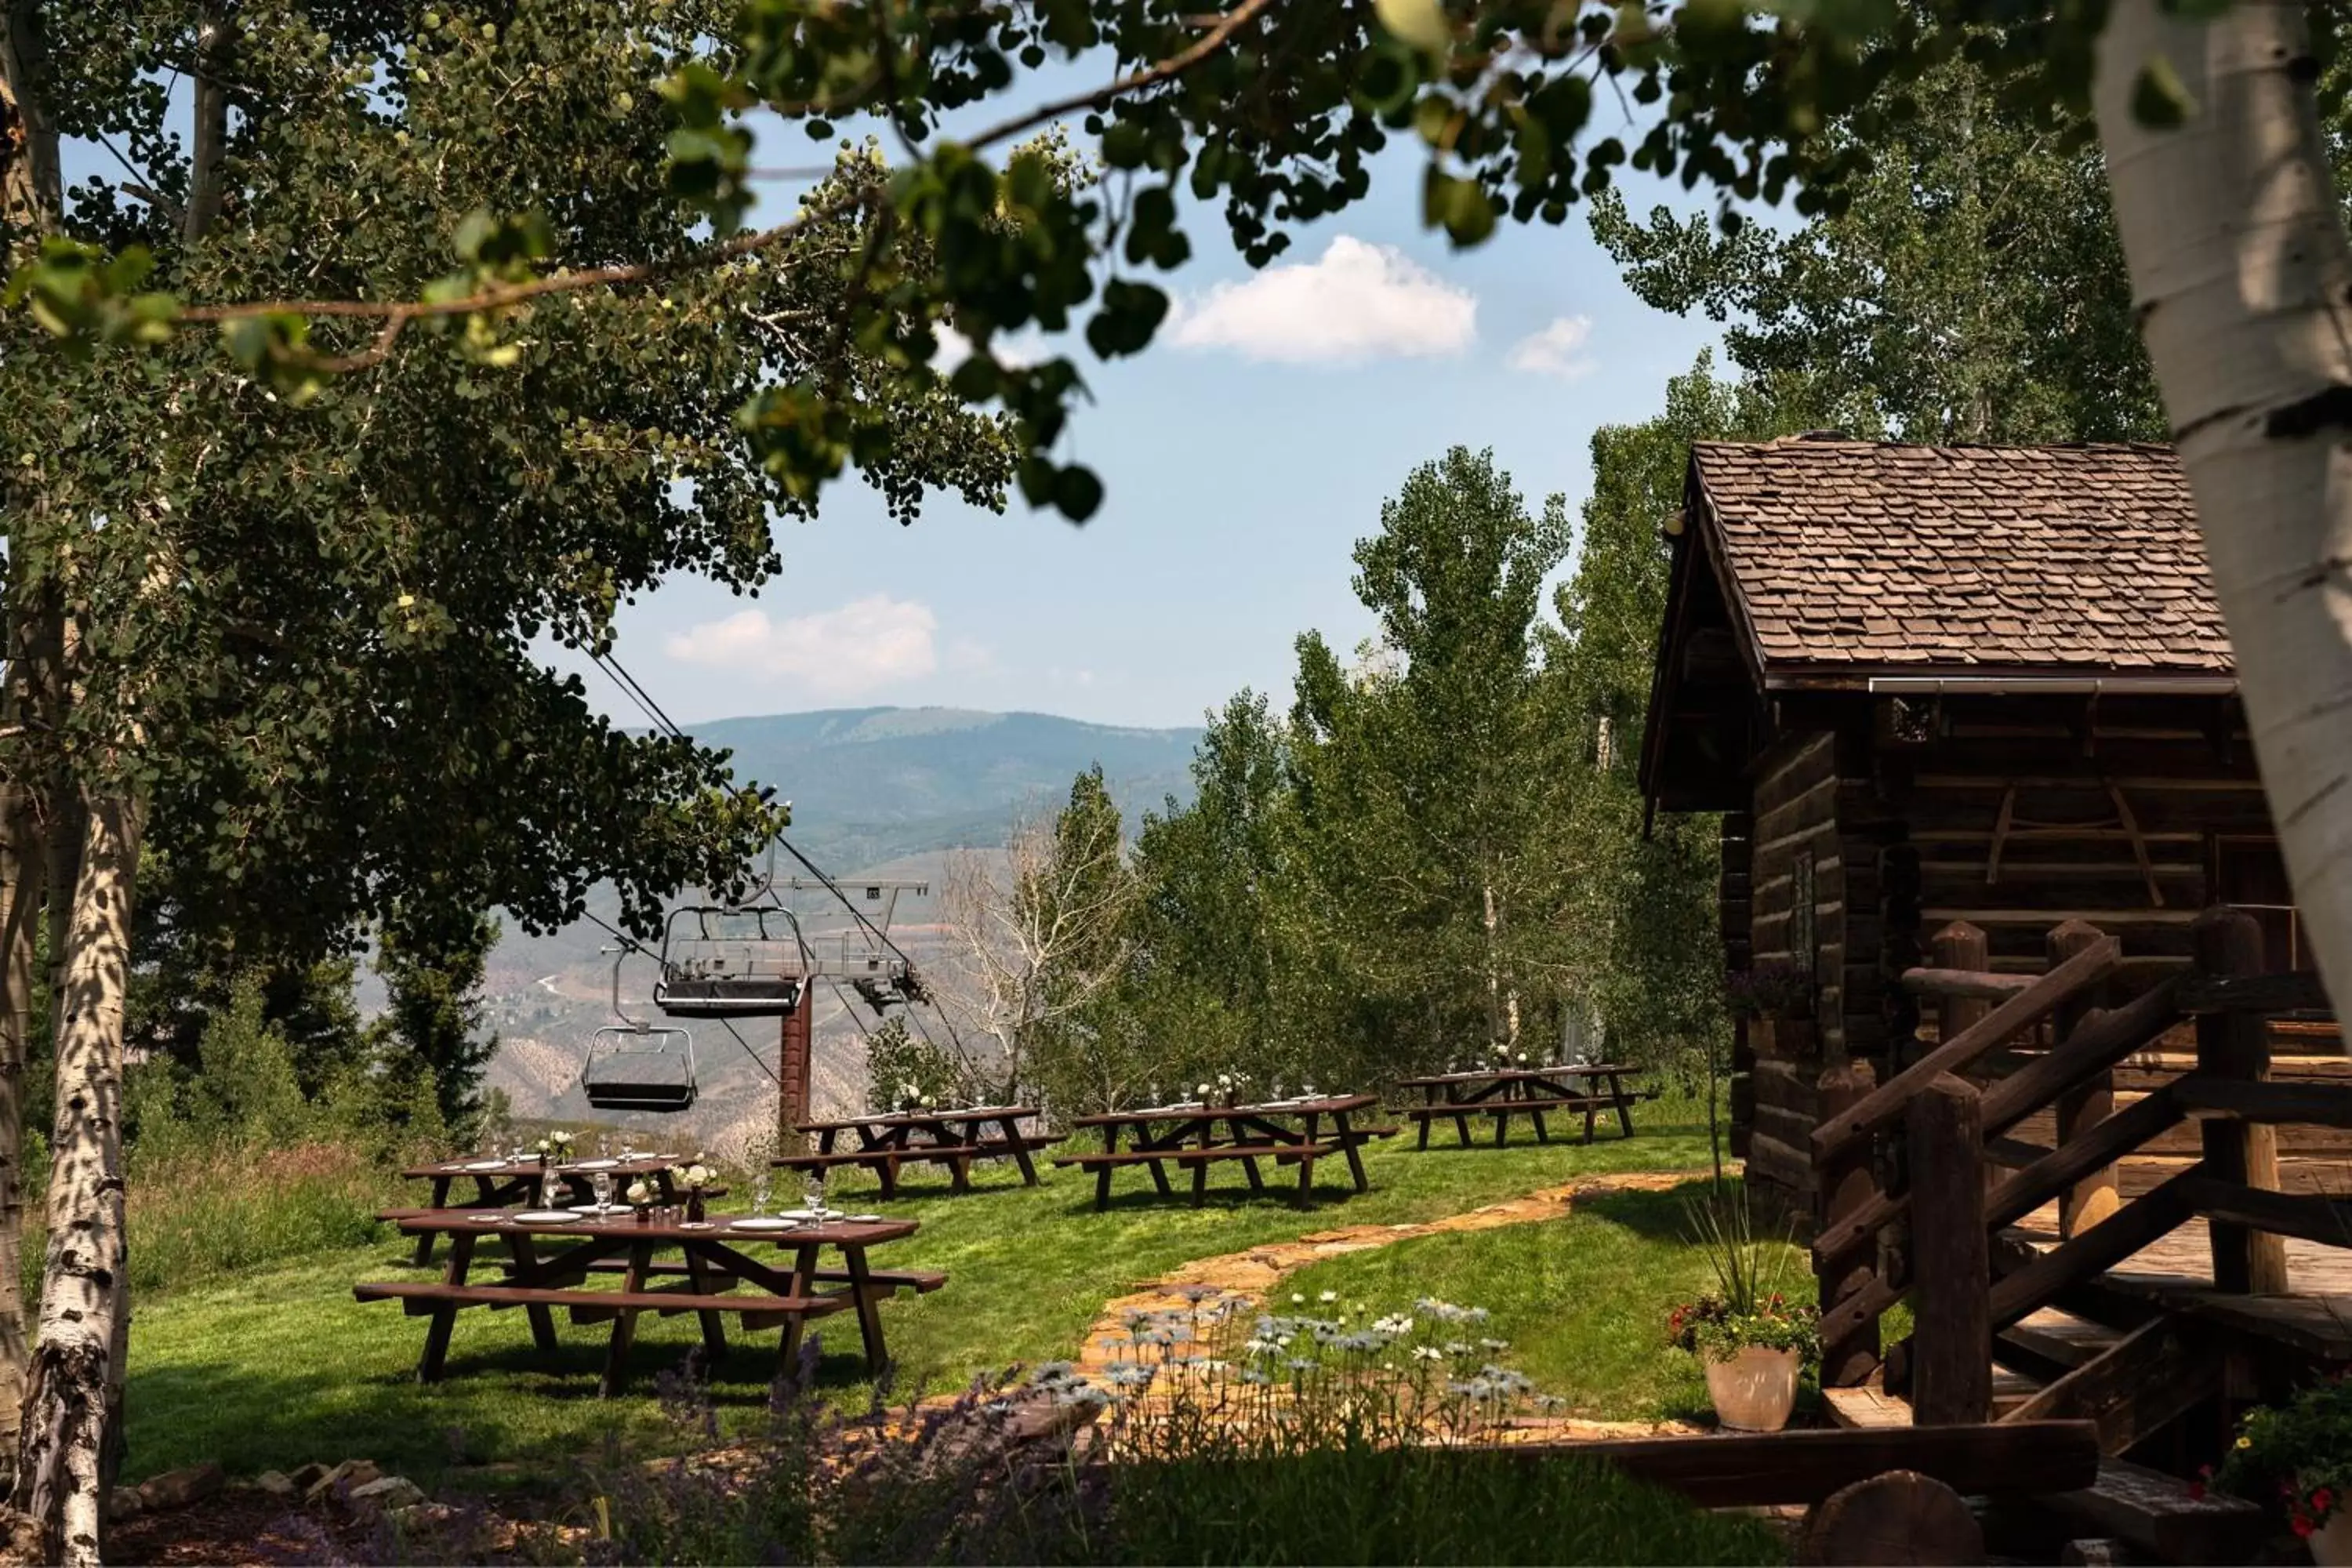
[(1285, 1132)]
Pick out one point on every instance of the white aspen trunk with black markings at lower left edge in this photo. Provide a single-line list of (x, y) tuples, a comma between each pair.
[(74, 1388)]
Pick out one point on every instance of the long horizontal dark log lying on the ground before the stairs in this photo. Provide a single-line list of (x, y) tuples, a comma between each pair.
[(1808, 1466)]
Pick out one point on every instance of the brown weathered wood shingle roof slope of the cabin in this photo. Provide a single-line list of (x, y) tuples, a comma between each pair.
[(2019, 558)]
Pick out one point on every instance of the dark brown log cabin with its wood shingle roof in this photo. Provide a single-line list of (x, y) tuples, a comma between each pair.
[(1975, 690)]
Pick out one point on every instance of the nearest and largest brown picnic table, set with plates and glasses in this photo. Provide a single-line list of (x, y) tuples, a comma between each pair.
[(704, 1268)]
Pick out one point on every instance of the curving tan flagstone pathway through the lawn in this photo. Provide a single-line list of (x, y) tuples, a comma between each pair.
[(1245, 1280)]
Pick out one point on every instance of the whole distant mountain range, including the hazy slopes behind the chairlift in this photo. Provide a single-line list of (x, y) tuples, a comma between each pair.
[(886, 793)]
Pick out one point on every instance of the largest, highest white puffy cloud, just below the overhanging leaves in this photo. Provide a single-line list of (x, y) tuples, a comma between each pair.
[(1361, 302)]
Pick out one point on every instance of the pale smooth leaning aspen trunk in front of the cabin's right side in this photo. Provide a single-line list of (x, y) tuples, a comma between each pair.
[(2243, 281)]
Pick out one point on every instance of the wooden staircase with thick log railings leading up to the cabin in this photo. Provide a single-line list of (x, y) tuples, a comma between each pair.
[(2040, 1285)]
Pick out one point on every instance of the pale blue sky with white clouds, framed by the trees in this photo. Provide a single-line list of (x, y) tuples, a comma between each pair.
[(1243, 455)]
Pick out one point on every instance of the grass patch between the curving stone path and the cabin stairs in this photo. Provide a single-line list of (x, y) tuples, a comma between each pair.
[(1582, 1299)]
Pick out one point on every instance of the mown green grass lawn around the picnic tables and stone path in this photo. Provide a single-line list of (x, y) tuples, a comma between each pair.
[(279, 1365)]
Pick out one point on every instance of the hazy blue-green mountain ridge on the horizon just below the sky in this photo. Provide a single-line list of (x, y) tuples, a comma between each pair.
[(871, 784)]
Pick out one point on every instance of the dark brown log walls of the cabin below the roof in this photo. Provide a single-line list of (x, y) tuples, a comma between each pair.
[(2012, 815)]
